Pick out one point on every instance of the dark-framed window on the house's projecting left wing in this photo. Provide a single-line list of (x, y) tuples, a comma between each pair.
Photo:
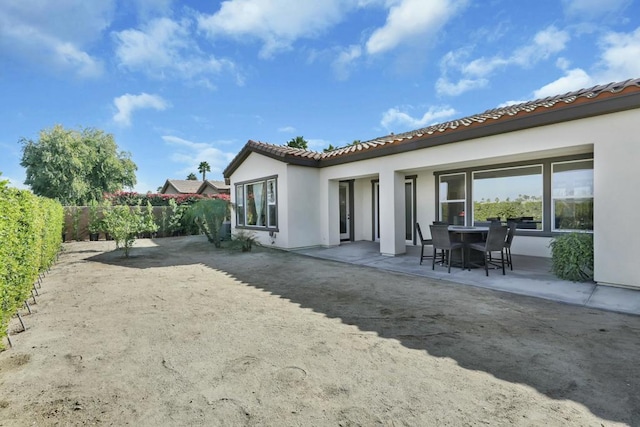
[(257, 204)]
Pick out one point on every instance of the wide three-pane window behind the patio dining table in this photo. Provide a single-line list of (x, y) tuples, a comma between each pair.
[(545, 196)]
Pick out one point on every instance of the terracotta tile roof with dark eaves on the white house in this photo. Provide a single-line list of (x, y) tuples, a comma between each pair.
[(579, 104)]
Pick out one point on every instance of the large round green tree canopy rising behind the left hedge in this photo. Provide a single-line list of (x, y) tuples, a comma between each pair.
[(76, 166)]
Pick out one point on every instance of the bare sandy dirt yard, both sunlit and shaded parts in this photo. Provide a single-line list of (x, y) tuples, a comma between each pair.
[(184, 334)]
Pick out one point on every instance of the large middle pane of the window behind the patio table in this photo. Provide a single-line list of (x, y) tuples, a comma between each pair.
[(509, 193)]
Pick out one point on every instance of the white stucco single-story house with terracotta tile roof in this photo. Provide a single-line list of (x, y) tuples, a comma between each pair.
[(575, 154)]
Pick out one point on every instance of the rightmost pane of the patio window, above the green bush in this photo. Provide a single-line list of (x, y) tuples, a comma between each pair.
[(572, 195)]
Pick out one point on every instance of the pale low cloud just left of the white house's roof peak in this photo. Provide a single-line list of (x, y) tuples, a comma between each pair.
[(190, 154)]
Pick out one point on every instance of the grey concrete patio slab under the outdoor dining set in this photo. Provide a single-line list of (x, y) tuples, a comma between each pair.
[(531, 276)]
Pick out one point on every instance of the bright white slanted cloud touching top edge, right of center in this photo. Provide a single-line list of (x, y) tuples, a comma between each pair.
[(409, 20)]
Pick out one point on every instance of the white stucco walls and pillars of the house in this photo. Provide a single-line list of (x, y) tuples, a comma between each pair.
[(308, 204)]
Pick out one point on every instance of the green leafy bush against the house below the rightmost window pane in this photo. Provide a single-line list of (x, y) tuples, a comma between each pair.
[(572, 257)]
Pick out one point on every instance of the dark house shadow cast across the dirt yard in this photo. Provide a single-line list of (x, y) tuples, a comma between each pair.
[(565, 352)]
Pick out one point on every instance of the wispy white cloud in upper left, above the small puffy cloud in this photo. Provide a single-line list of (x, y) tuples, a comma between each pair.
[(165, 48)]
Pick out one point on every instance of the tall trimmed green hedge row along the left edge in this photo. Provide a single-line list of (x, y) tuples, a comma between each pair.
[(30, 238)]
